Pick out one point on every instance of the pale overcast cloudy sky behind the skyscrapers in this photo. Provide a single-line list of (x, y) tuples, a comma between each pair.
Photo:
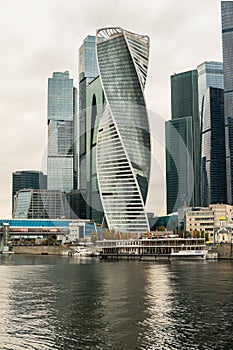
[(40, 37)]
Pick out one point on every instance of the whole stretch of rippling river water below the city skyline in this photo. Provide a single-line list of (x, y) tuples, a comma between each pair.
[(67, 303)]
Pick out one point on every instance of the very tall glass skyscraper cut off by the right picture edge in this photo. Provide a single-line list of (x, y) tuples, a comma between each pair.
[(227, 46)]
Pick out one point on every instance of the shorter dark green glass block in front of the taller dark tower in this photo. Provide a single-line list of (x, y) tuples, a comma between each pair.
[(179, 163)]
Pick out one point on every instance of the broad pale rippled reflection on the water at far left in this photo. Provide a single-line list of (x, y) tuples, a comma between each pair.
[(27, 315)]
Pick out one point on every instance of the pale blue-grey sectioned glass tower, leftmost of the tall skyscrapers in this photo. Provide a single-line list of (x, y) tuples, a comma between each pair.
[(61, 112)]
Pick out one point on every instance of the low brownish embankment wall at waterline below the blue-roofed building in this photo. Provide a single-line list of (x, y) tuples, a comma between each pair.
[(40, 250)]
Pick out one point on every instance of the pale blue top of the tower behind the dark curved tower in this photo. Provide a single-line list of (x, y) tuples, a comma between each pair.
[(210, 73)]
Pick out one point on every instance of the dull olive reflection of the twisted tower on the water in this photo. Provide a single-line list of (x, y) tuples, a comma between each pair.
[(123, 303)]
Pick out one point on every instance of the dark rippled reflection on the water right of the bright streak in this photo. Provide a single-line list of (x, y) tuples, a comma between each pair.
[(203, 305)]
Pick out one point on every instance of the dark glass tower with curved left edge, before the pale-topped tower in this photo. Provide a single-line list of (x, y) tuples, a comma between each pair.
[(213, 153)]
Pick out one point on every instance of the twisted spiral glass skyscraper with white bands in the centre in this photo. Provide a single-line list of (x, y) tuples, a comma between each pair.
[(123, 140)]
